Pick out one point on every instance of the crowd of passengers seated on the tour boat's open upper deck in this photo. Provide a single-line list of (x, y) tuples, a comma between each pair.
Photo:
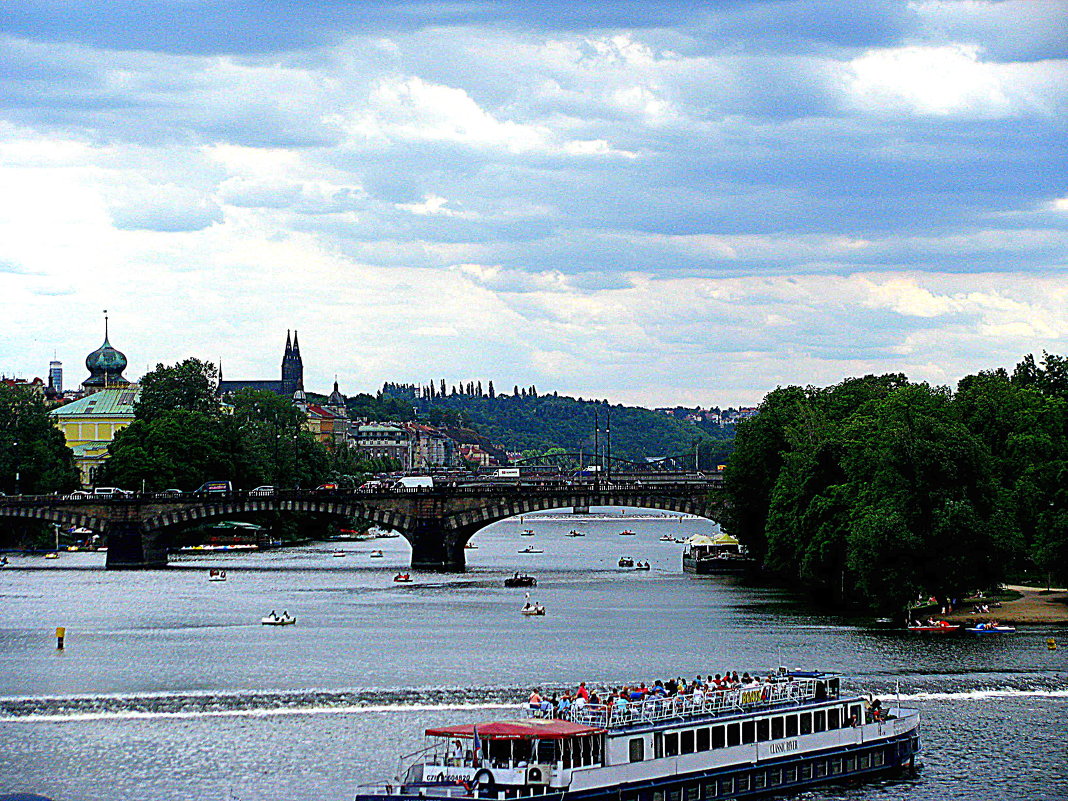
[(620, 700)]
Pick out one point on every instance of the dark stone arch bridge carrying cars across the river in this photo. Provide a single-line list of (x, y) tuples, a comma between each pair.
[(437, 522)]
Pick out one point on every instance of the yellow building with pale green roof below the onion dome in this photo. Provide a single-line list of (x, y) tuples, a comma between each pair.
[(90, 425)]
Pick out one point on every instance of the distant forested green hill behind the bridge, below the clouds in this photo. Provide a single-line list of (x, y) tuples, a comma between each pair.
[(527, 421)]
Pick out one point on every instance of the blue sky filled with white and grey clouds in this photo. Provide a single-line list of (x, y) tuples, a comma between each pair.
[(654, 203)]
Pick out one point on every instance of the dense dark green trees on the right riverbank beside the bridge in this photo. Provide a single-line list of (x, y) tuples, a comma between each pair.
[(878, 490)]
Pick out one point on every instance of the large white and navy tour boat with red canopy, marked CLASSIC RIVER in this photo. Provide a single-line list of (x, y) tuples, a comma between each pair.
[(790, 734)]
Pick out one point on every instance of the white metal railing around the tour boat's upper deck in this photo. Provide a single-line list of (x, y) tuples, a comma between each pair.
[(696, 705)]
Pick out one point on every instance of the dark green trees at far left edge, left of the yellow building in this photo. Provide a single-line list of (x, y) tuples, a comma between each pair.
[(32, 447)]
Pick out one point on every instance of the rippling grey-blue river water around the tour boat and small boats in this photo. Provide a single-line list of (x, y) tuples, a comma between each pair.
[(169, 688)]
